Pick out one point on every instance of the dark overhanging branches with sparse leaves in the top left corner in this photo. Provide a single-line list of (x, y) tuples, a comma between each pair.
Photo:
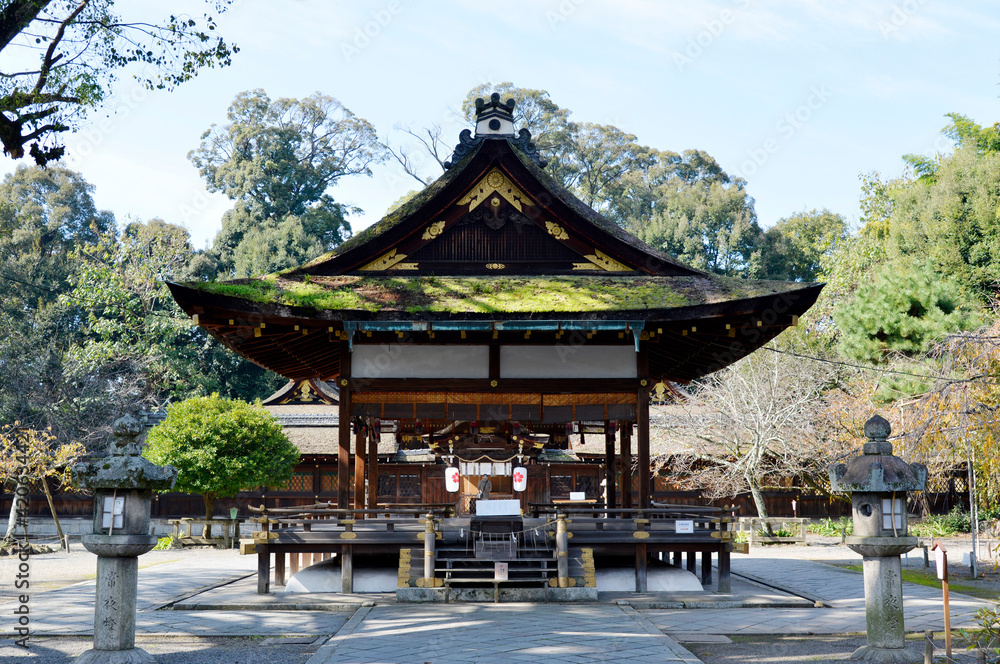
[(64, 57)]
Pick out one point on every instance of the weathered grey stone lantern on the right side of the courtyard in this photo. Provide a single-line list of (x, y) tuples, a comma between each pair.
[(878, 482)]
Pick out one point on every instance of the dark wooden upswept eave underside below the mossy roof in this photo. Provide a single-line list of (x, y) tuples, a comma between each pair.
[(683, 343)]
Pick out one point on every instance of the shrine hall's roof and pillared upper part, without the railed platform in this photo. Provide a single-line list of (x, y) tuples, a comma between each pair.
[(490, 317)]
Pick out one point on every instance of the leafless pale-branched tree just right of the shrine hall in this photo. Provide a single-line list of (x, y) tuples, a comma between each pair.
[(752, 425)]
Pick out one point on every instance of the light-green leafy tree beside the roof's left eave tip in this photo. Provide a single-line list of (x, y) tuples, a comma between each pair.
[(136, 331)]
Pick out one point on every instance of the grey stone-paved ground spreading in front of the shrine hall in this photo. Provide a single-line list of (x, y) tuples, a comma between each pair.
[(367, 629)]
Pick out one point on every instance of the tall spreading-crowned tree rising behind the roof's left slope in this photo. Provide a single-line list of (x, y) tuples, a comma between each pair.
[(278, 159)]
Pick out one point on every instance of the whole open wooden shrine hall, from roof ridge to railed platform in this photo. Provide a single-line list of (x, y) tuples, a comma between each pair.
[(484, 323)]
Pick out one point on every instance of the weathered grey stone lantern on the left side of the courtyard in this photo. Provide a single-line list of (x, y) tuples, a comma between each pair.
[(123, 485)]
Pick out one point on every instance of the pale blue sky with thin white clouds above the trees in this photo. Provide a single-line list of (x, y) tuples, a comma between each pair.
[(797, 96)]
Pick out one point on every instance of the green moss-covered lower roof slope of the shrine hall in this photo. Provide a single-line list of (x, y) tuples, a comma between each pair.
[(492, 295)]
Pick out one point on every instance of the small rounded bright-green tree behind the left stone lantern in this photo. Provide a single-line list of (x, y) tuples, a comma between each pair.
[(221, 447)]
